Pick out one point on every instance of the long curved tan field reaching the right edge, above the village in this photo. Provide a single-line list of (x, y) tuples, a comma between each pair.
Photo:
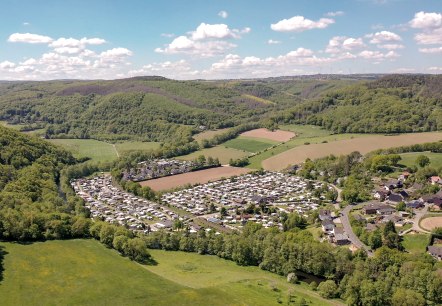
[(362, 144)]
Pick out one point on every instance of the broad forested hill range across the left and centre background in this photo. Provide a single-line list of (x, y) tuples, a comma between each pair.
[(150, 108)]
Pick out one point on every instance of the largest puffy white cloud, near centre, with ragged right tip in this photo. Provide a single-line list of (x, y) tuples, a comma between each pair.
[(207, 40)]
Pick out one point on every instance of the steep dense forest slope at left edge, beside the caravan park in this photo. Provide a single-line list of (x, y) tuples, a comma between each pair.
[(30, 205)]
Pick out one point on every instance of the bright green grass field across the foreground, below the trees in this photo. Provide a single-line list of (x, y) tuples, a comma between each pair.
[(84, 272)]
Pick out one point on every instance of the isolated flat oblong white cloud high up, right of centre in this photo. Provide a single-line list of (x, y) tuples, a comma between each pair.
[(299, 24)]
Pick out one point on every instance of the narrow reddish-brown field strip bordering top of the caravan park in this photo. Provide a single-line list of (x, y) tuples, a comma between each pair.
[(195, 177)]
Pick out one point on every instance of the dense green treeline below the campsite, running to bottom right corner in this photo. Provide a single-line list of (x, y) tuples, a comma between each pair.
[(389, 278)]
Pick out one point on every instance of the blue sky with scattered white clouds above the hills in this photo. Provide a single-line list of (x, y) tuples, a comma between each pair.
[(217, 39)]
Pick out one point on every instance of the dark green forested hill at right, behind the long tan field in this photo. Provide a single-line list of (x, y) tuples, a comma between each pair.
[(392, 104)]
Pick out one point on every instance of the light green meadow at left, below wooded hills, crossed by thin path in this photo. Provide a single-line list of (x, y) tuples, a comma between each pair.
[(97, 150)]
